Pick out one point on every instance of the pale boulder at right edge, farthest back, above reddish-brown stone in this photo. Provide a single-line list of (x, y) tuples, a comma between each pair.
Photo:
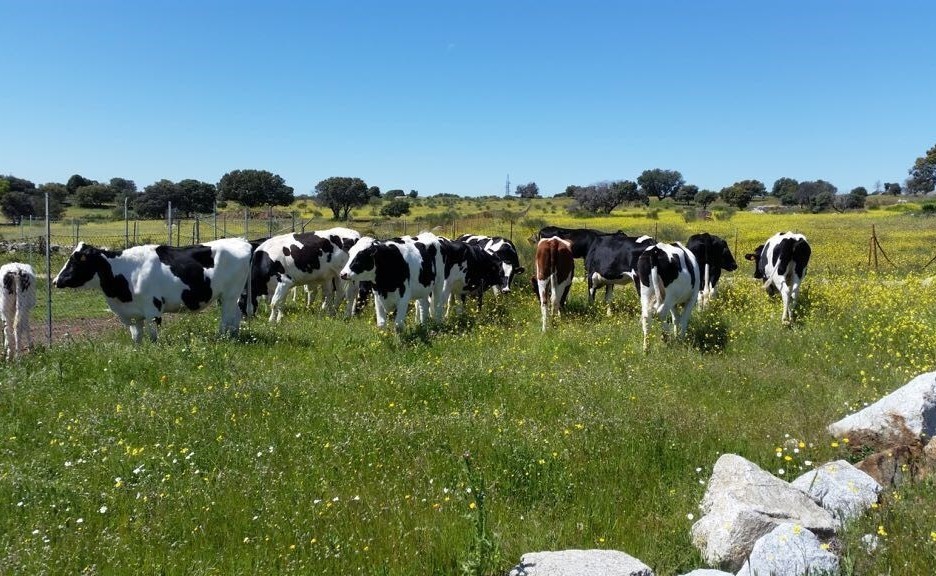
[(902, 417)]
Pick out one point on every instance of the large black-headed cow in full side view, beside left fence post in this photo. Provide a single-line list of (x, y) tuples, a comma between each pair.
[(142, 283)]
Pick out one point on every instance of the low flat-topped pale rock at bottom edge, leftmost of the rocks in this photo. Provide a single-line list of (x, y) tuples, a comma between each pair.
[(580, 563)]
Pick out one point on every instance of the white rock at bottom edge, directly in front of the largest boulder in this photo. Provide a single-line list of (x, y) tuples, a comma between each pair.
[(789, 550)]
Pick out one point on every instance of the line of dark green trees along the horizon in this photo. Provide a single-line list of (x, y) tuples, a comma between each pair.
[(21, 198)]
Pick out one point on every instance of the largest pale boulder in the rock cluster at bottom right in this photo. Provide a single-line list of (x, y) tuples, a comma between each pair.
[(742, 503)]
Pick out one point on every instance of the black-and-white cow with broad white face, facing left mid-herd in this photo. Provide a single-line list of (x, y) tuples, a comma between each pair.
[(399, 270)]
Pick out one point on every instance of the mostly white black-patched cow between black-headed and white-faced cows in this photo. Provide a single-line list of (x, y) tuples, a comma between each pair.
[(294, 259)]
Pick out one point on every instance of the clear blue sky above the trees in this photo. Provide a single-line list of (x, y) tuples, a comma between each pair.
[(451, 96)]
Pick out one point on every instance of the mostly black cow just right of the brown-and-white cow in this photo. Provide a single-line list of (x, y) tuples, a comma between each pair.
[(612, 259)]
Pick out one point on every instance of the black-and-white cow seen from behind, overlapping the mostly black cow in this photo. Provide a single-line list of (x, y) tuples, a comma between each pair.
[(669, 278)]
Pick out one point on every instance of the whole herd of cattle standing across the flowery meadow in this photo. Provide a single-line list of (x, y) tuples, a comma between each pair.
[(142, 283)]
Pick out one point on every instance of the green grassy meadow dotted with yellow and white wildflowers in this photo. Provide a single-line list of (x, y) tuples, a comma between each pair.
[(323, 446)]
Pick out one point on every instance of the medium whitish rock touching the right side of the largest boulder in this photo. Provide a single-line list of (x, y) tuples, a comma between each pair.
[(840, 488)]
